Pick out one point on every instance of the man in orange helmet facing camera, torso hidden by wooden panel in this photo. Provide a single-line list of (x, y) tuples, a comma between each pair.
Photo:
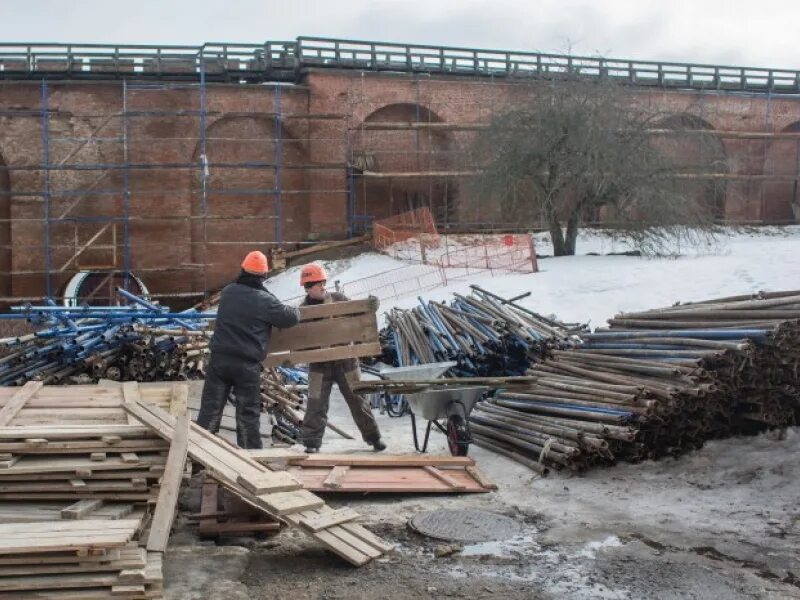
[(322, 376)]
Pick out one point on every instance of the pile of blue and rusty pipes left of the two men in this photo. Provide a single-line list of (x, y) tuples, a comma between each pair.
[(137, 341)]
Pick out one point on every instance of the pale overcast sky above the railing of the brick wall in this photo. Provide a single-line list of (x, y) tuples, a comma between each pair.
[(763, 33)]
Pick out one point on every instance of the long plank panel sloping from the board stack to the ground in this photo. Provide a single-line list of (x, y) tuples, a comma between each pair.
[(276, 493)]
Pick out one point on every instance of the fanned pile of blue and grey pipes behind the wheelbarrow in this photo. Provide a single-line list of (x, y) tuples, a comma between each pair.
[(485, 334)]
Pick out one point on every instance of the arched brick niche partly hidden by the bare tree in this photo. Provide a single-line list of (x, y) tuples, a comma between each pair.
[(697, 150)]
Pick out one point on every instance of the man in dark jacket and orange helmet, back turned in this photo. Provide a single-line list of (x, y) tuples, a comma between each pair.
[(246, 314)]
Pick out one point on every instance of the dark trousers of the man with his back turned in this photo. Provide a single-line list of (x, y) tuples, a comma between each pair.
[(224, 373)]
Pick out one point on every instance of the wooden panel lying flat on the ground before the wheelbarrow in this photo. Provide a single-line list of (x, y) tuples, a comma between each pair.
[(383, 473)]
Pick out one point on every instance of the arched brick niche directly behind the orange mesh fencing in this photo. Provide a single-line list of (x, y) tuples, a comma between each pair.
[(397, 138)]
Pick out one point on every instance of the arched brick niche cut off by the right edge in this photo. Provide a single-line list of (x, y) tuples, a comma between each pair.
[(781, 198)]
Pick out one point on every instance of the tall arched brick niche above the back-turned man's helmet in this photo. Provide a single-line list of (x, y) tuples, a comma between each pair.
[(235, 205)]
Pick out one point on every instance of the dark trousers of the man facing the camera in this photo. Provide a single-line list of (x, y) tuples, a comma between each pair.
[(321, 378)]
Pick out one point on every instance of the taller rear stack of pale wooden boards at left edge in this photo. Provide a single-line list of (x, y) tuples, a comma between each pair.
[(75, 442)]
